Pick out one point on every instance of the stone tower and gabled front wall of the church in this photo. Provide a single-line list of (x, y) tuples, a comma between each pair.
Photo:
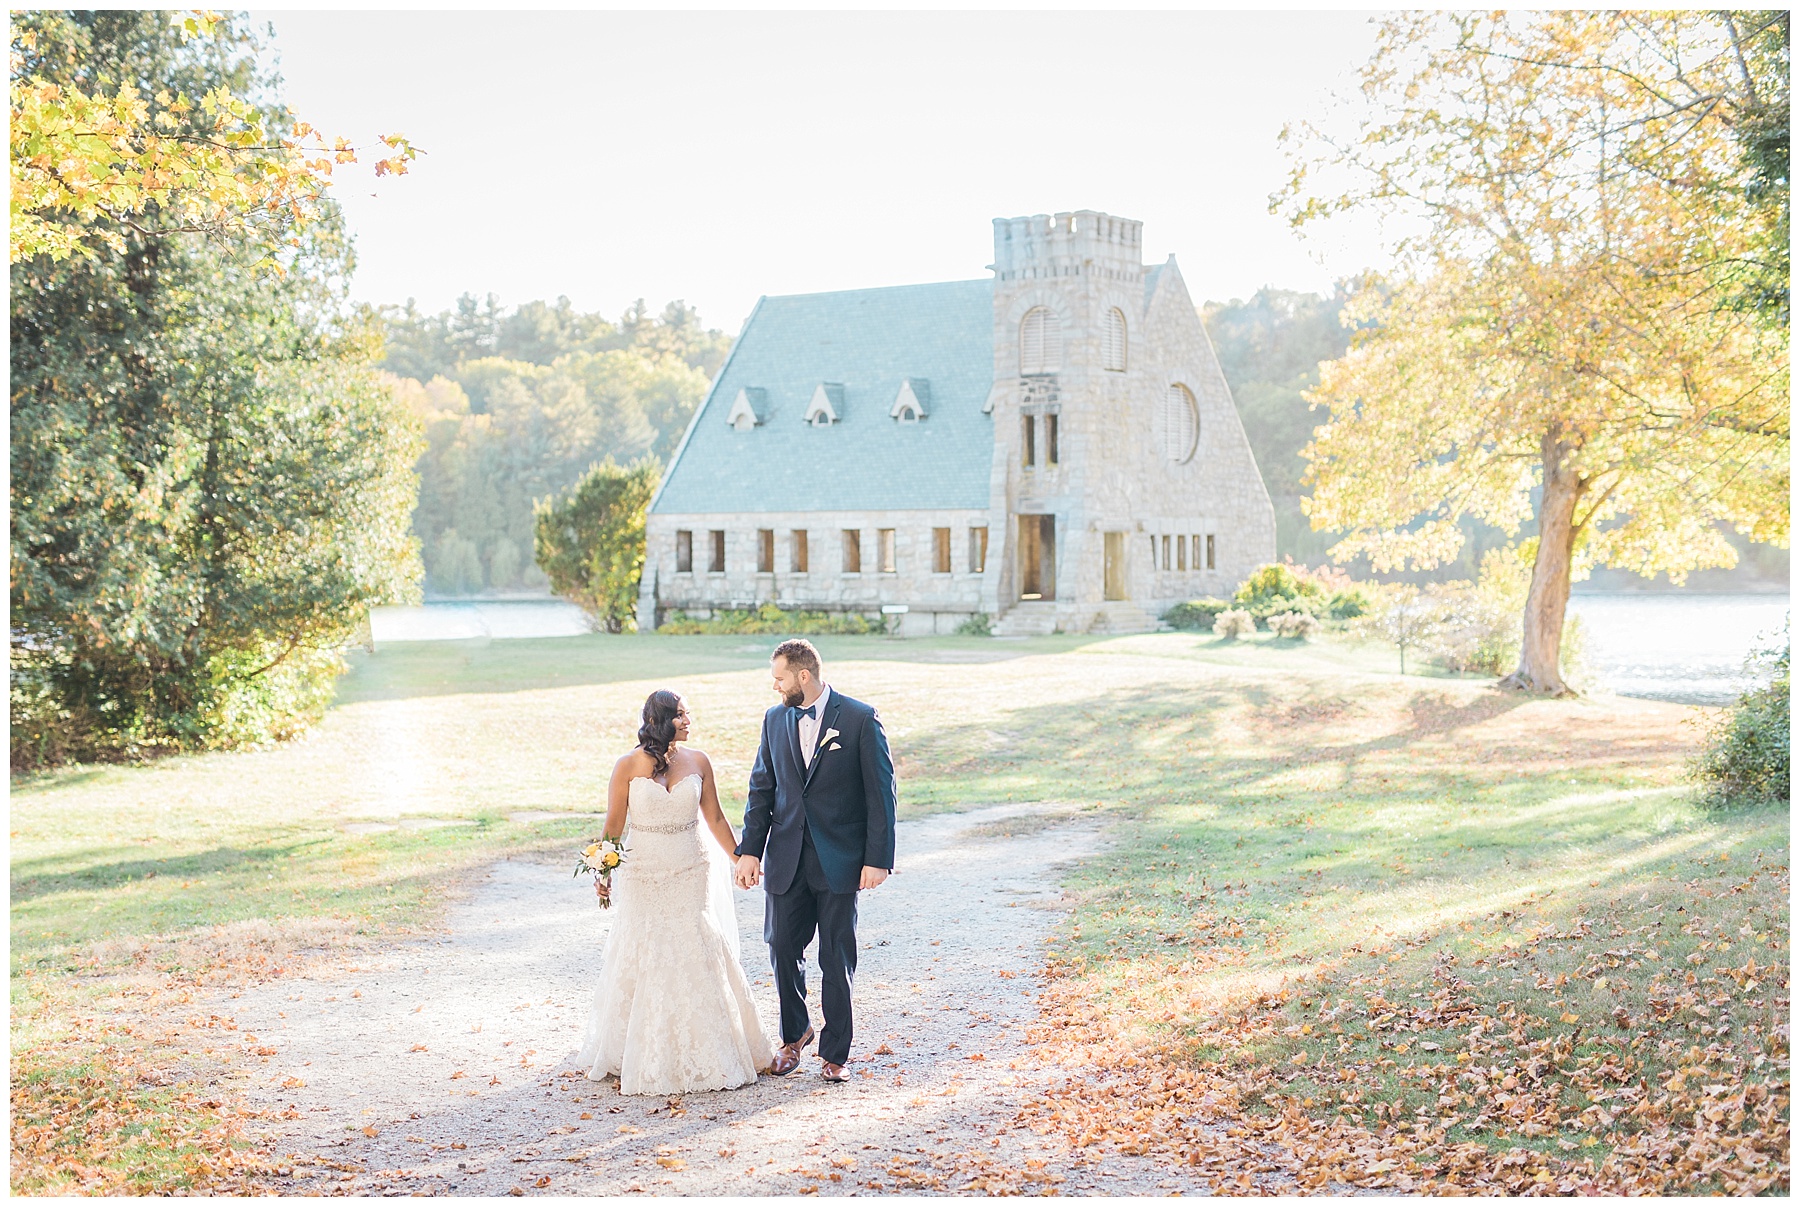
[(1122, 481)]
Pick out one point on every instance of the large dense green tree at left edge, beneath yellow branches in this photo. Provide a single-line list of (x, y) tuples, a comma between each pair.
[(210, 481)]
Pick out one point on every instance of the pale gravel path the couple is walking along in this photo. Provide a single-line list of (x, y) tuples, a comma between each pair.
[(447, 1066)]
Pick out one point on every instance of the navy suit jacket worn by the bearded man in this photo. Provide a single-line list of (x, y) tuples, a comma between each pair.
[(845, 800)]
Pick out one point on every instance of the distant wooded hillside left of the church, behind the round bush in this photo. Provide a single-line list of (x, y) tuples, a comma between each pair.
[(519, 404)]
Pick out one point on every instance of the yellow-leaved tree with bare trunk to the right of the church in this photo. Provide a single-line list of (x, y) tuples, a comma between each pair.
[(1565, 348)]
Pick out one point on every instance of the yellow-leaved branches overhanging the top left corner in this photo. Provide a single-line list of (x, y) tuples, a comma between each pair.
[(91, 145)]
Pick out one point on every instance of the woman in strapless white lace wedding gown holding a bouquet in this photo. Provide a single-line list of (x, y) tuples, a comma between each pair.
[(672, 1014)]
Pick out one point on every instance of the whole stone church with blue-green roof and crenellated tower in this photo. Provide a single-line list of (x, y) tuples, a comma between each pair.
[(1054, 447)]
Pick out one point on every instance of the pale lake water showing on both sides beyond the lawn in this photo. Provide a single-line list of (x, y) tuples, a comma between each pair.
[(1684, 648)]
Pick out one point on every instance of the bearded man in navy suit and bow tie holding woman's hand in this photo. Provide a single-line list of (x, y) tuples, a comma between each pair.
[(822, 814)]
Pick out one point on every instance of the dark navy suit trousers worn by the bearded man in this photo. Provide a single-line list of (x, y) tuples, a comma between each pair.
[(793, 918)]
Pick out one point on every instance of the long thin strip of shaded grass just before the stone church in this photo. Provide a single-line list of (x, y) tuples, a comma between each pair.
[(485, 666)]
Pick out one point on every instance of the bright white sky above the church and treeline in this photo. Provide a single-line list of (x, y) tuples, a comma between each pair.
[(715, 157)]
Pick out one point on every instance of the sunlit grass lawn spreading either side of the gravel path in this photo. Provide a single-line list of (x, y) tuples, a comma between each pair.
[(1279, 809)]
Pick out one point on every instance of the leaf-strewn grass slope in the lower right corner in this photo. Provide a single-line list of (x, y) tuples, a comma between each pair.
[(1628, 1050)]
